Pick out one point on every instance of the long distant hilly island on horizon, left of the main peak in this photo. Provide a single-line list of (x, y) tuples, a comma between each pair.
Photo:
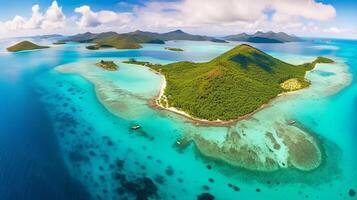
[(133, 40)]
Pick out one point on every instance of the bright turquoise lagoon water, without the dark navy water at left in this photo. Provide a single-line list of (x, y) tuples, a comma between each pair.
[(91, 139)]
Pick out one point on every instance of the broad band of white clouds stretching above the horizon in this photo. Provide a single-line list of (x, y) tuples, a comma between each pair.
[(220, 17)]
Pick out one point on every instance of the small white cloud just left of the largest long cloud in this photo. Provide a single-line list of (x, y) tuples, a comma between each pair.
[(90, 18)]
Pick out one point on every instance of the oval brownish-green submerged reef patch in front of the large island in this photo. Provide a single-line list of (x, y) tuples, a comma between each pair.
[(286, 146)]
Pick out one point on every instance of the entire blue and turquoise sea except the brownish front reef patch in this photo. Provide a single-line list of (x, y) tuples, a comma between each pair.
[(65, 127)]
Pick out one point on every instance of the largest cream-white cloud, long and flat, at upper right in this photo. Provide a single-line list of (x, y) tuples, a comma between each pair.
[(198, 12)]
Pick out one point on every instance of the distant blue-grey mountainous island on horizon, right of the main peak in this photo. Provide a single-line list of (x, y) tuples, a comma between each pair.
[(261, 37)]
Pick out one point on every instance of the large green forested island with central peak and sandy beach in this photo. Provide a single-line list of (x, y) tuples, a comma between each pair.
[(229, 87)]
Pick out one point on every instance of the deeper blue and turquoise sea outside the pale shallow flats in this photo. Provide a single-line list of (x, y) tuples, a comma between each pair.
[(34, 161)]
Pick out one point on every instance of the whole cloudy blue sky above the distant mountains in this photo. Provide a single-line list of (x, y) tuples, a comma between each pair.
[(307, 18)]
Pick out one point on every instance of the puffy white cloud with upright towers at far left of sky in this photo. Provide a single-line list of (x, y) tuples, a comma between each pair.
[(52, 19)]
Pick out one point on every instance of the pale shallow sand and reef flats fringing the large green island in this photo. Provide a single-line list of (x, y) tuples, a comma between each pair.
[(264, 142)]
